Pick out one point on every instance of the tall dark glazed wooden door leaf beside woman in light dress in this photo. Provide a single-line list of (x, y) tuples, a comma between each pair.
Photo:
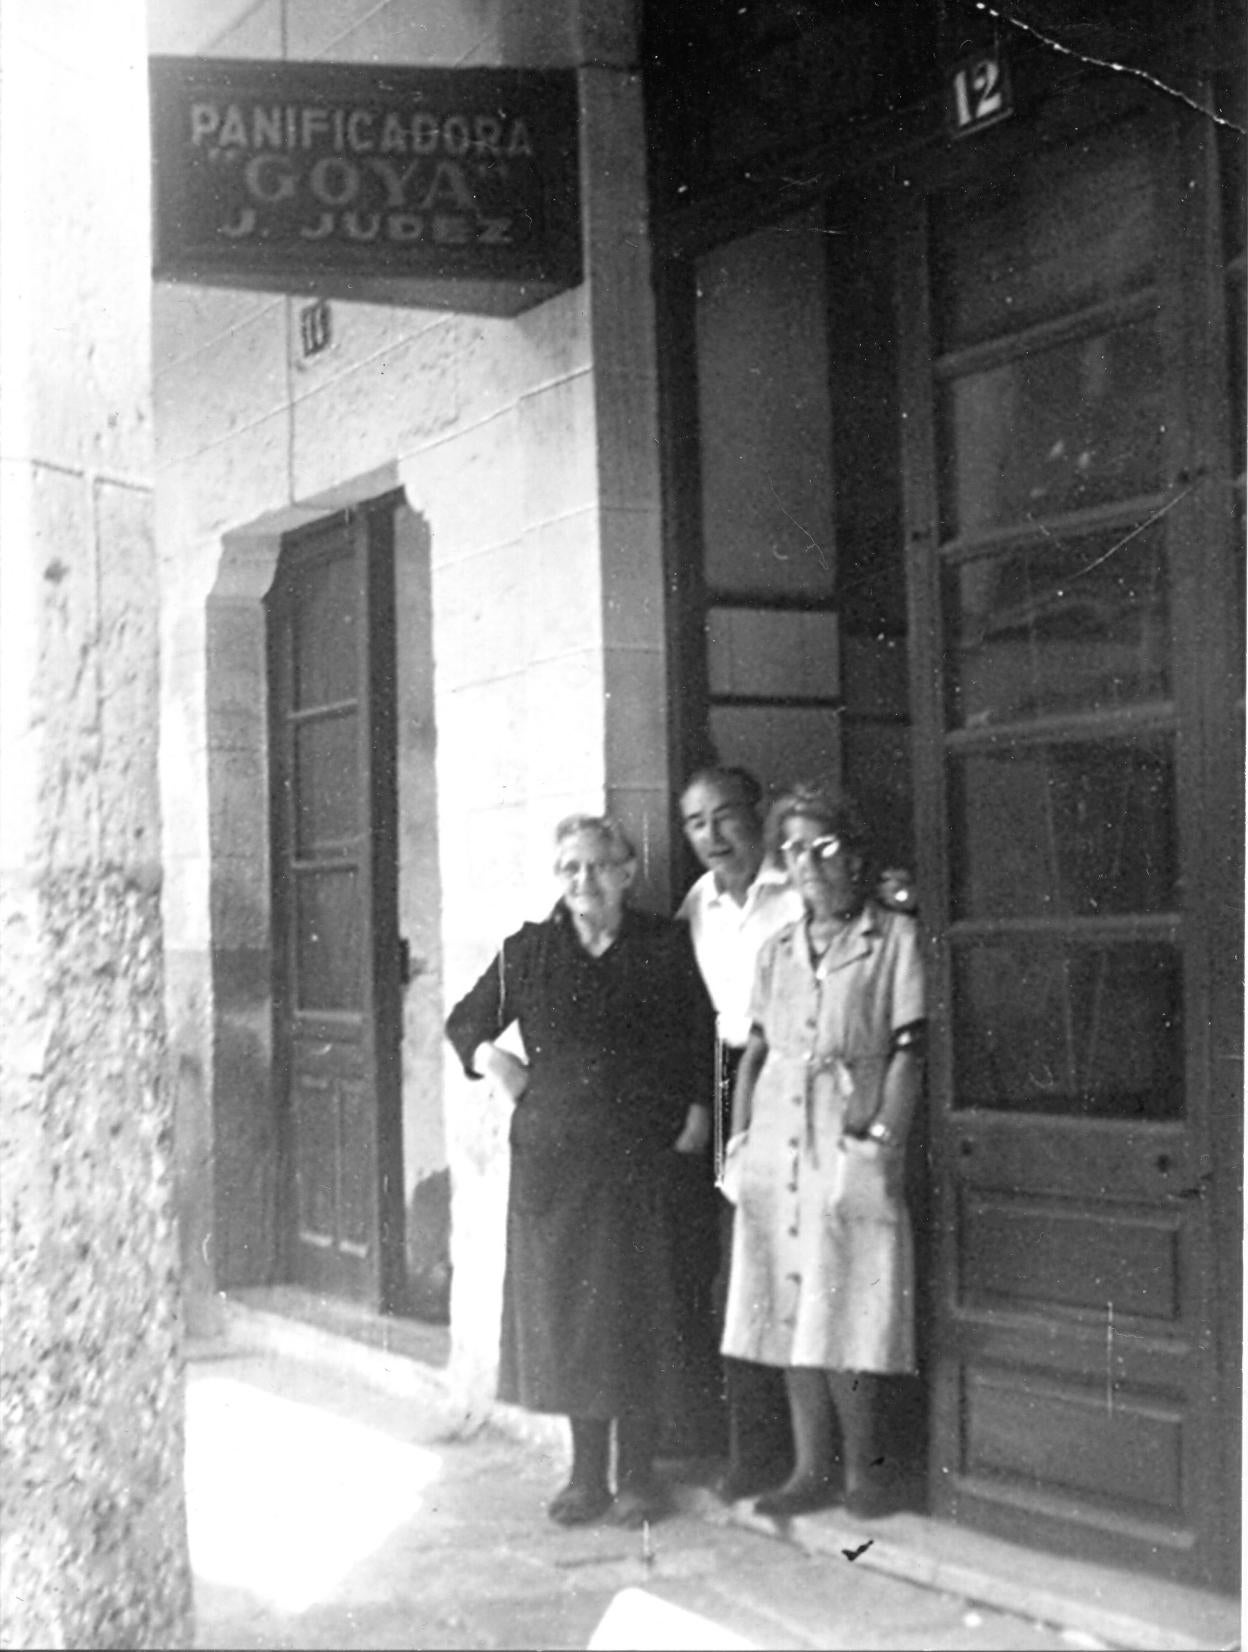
[(1070, 582)]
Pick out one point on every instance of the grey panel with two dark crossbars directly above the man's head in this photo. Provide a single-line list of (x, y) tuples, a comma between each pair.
[(768, 627)]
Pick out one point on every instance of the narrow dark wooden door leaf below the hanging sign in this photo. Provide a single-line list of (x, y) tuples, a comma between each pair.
[(333, 696)]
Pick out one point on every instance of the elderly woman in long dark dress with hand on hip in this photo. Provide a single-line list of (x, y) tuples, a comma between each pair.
[(611, 1202)]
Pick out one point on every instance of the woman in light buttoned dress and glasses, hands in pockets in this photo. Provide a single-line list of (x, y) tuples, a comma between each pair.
[(822, 1279)]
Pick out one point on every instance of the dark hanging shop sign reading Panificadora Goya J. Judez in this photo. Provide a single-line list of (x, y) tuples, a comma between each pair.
[(447, 189)]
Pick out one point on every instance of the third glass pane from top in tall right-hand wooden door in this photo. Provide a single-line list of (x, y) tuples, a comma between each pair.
[(1059, 627)]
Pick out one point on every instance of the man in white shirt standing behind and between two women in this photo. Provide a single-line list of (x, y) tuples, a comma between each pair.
[(733, 909)]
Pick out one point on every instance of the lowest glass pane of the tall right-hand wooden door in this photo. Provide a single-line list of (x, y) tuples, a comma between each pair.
[(1067, 1028)]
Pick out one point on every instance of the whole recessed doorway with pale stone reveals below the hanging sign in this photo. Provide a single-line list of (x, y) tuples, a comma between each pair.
[(330, 1179)]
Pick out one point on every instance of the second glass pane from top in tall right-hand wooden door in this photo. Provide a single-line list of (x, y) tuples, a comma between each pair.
[(1055, 430)]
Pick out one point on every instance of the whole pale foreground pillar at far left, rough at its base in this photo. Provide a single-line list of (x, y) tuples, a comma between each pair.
[(93, 1547)]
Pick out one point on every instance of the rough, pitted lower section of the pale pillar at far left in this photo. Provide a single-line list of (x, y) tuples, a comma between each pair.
[(92, 1517)]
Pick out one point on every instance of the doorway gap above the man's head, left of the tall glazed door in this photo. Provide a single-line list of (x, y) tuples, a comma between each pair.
[(798, 604)]
